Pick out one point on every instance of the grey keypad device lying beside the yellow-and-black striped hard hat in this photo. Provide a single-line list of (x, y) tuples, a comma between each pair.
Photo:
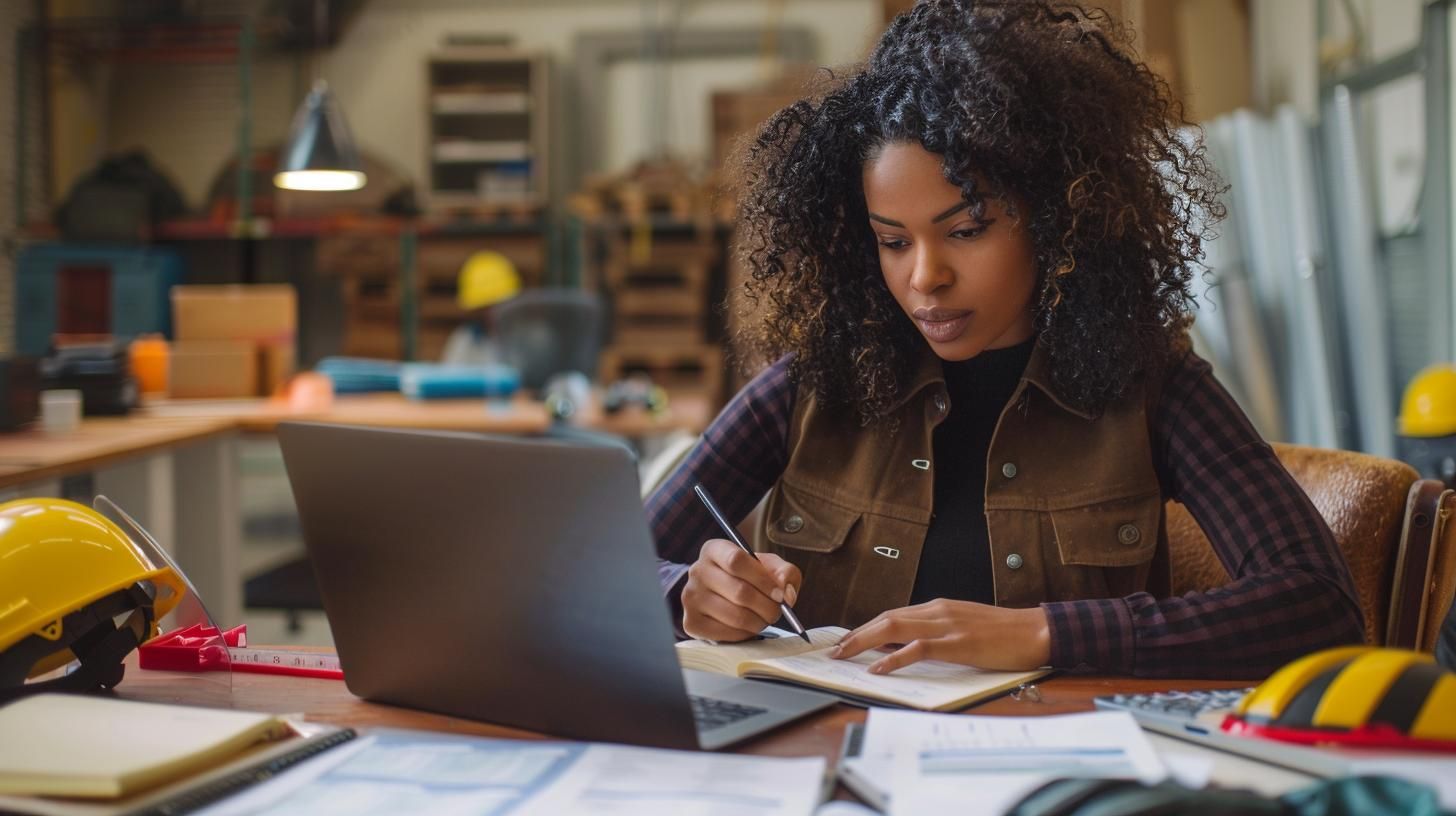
[(1198, 716)]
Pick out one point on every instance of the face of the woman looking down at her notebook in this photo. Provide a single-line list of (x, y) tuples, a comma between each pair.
[(965, 283)]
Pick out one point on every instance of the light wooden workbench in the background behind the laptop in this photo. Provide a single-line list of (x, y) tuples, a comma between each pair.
[(173, 464)]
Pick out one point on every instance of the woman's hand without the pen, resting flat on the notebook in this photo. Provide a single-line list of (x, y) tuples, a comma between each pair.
[(954, 632)]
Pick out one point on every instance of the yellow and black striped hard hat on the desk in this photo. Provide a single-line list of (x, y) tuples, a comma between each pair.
[(1358, 696)]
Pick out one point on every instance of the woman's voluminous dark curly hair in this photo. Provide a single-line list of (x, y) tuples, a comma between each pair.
[(1033, 103)]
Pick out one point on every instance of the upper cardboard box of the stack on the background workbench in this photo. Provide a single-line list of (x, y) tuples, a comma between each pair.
[(257, 314)]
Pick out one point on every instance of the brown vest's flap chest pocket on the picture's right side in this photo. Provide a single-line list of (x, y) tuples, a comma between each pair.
[(1110, 534)]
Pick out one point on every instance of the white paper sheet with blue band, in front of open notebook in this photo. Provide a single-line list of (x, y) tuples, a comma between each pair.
[(957, 764)]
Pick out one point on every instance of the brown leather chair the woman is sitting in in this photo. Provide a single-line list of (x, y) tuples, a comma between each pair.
[(1366, 502)]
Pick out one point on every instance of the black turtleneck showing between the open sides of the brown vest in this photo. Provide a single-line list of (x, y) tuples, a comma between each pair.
[(956, 562)]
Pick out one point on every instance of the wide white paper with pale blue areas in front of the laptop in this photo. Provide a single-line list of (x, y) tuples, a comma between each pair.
[(392, 772)]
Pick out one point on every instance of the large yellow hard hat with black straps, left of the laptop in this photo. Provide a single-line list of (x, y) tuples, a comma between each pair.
[(68, 573)]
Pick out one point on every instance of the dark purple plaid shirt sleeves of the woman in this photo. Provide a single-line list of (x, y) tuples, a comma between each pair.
[(1291, 589)]
